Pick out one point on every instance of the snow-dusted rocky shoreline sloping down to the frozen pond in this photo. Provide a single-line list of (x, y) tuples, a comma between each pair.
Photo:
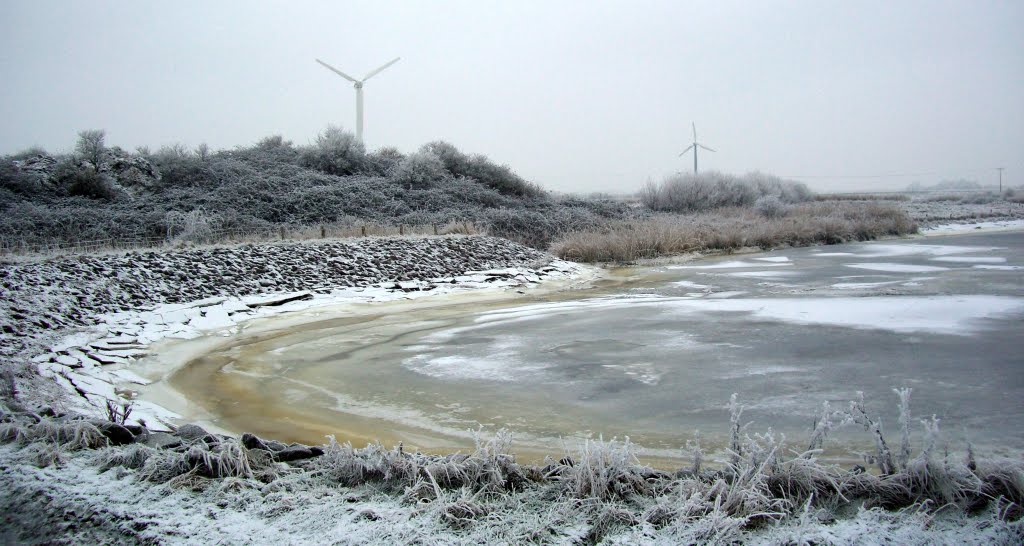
[(79, 322)]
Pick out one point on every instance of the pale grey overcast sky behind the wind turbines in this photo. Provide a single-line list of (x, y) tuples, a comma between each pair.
[(576, 96)]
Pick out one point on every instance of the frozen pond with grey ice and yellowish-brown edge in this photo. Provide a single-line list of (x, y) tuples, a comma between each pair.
[(658, 356)]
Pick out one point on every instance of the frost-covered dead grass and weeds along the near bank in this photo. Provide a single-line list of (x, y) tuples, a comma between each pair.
[(594, 493)]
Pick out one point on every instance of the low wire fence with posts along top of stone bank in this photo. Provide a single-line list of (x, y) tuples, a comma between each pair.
[(15, 247)]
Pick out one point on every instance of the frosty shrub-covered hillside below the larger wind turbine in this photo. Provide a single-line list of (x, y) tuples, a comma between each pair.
[(102, 193)]
